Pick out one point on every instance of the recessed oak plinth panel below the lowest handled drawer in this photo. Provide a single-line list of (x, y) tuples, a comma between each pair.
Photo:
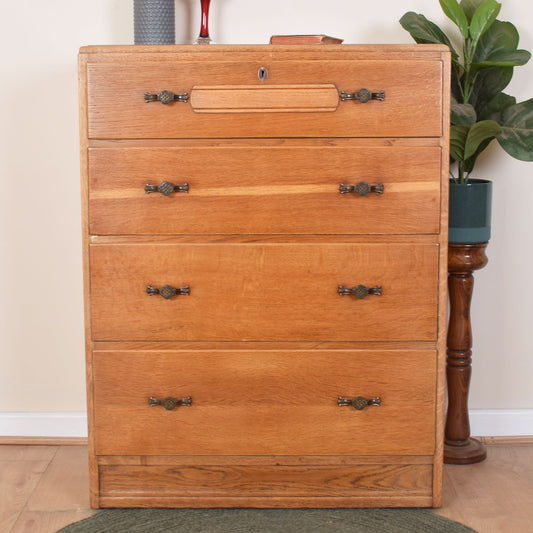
[(375, 484)]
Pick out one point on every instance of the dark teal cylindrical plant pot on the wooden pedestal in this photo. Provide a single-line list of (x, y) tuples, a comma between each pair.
[(470, 212)]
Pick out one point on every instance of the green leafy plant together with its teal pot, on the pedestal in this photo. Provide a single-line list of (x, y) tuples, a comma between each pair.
[(480, 110)]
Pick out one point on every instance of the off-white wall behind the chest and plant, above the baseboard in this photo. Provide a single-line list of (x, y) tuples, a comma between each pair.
[(41, 324)]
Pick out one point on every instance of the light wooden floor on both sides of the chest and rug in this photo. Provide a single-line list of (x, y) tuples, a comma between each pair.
[(44, 488)]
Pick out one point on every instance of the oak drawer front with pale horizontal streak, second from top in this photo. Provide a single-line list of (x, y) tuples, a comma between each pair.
[(264, 190)]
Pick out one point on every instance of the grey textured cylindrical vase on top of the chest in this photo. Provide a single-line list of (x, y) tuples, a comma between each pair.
[(154, 22)]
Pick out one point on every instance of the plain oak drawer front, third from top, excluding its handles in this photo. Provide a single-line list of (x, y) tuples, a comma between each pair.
[(273, 291)]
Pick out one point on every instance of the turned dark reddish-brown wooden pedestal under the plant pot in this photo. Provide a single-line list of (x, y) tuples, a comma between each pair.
[(463, 259)]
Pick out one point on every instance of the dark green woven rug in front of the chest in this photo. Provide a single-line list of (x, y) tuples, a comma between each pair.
[(266, 521)]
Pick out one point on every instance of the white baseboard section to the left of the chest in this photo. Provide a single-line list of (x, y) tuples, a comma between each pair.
[(43, 424)]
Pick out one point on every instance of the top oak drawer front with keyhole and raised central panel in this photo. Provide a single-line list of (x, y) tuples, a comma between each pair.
[(226, 99)]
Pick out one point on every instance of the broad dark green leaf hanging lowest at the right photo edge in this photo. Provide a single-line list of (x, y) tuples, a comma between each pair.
[(516, 137)]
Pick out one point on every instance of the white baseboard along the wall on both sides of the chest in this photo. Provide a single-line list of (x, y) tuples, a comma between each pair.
[(483, 423)]
